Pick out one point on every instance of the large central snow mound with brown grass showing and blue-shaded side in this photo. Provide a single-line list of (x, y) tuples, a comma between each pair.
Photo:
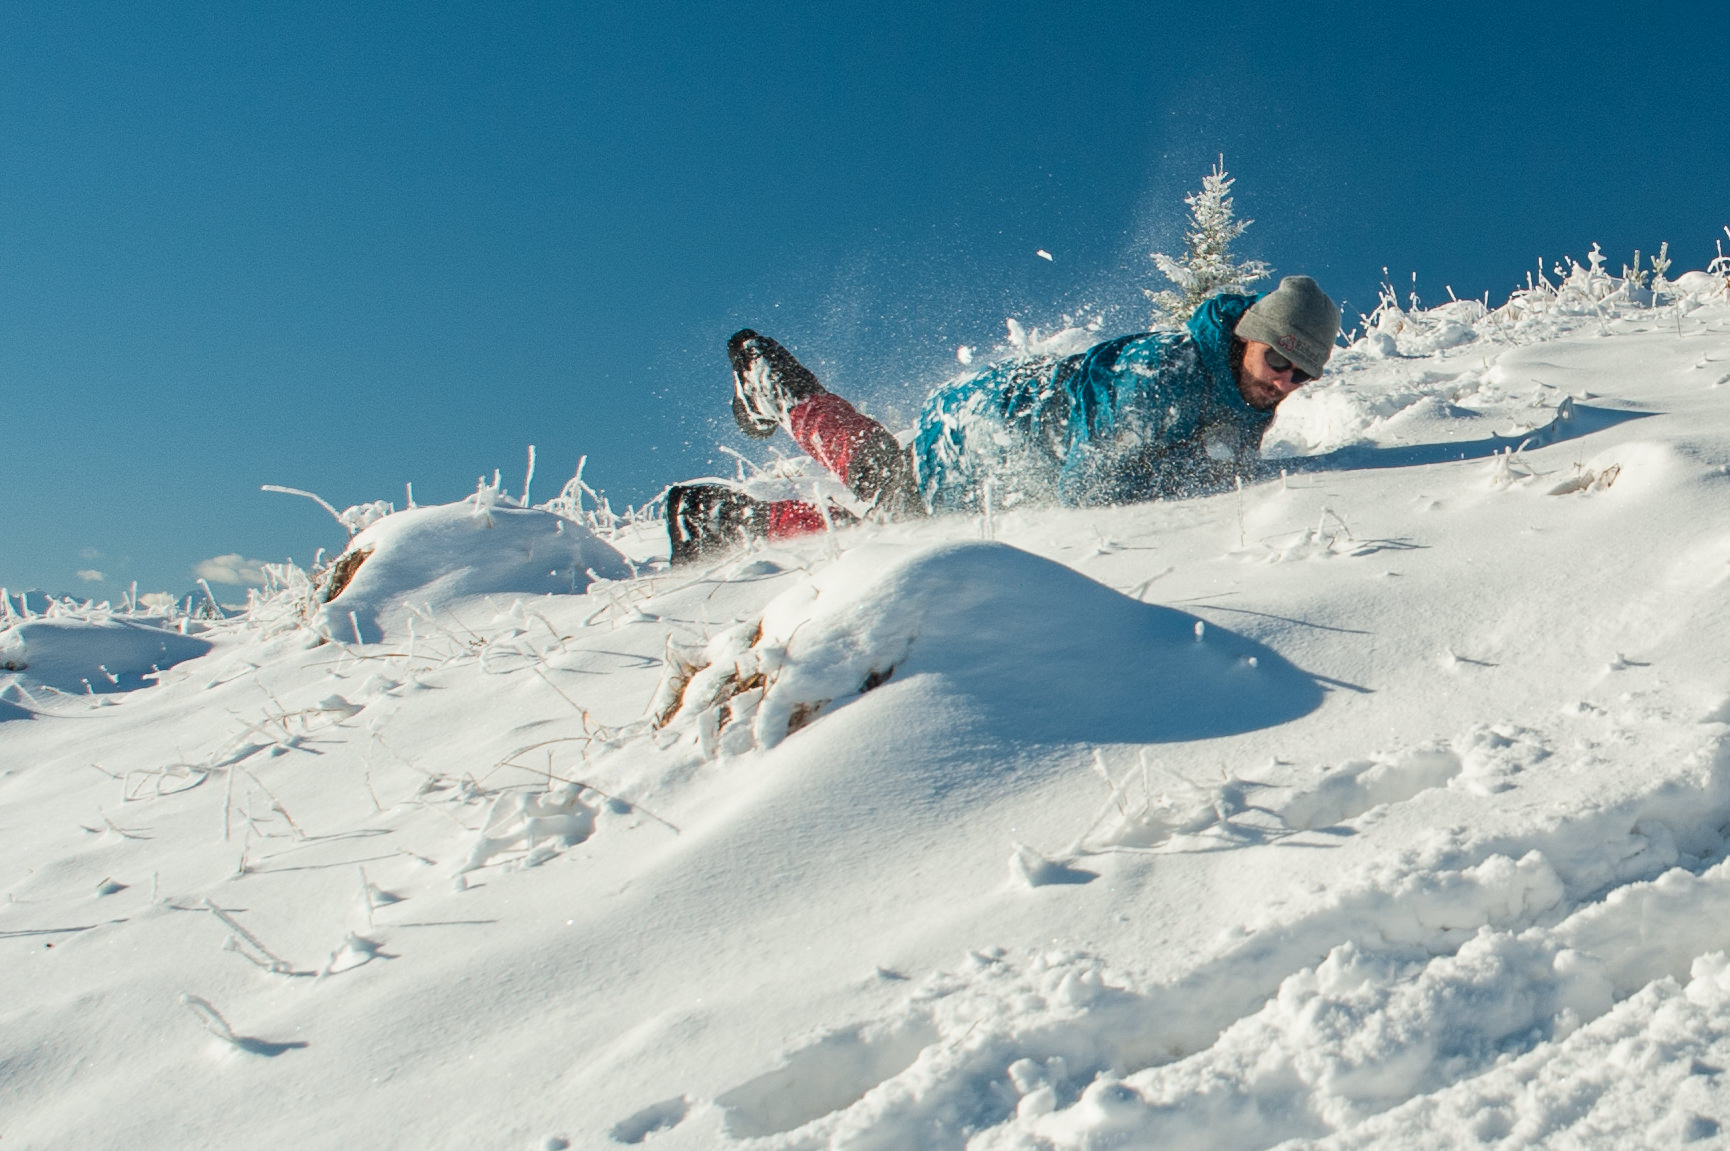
[(1032, 646)]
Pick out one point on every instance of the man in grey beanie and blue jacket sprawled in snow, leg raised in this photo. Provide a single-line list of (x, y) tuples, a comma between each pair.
[(1137, 418)]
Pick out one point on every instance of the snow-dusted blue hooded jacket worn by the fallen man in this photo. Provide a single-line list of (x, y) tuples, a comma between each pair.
[(1137, 418)]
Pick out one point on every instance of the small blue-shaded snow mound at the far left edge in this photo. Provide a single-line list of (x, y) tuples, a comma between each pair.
[(101, 657)]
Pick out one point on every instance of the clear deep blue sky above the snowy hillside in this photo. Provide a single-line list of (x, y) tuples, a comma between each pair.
[(349, 247)]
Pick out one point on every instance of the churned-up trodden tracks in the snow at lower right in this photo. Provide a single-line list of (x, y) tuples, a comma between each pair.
[(1409, 982)]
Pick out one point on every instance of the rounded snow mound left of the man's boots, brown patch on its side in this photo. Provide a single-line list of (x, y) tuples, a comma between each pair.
[(432, 556)]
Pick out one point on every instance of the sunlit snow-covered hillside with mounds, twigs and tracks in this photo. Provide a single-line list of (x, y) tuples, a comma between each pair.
[(1383, 804)]
